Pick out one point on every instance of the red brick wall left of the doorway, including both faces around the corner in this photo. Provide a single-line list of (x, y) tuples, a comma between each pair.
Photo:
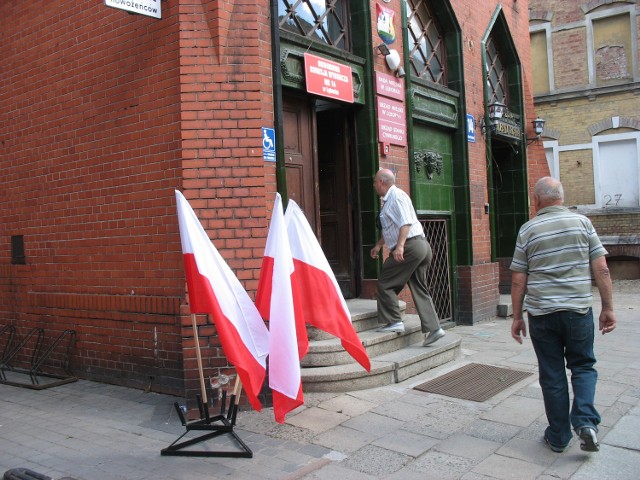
[(112, 112)]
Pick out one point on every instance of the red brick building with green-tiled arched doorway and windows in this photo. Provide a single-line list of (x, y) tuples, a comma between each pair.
[(104, 113)]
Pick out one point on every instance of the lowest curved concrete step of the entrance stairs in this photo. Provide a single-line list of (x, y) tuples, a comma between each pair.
[(392, 367)]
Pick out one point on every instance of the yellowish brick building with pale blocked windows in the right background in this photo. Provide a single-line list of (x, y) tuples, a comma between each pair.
[(586, 85)]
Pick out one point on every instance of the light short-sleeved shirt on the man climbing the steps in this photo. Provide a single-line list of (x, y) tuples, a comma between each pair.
[(397, 211)]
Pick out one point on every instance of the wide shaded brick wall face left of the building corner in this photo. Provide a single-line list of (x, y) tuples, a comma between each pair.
[(90, 155)]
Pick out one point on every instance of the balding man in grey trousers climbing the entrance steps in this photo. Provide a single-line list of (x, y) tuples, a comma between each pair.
[(408, 262)]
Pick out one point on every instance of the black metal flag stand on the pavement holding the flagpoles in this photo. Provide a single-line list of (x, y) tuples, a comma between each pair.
[(221, 424)]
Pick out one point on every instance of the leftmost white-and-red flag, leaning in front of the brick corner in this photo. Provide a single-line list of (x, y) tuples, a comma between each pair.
[(215, 290)]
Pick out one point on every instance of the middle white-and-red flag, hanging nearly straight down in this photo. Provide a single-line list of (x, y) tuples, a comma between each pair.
[(275, 302)]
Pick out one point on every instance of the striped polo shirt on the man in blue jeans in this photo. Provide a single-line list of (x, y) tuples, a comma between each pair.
[(555, 249)]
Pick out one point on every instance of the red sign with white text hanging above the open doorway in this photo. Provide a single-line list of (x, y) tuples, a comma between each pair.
[(328, 78)]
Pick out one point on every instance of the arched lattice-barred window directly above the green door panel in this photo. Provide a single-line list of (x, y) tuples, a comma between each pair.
[(427, 52)]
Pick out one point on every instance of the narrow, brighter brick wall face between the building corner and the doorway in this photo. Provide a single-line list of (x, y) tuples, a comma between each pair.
[(226, 96)]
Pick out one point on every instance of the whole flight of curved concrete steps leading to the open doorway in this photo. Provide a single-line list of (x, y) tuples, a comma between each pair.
[(395, 357)]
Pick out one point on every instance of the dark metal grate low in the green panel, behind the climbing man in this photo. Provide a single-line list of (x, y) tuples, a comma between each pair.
[(438, 278)]
